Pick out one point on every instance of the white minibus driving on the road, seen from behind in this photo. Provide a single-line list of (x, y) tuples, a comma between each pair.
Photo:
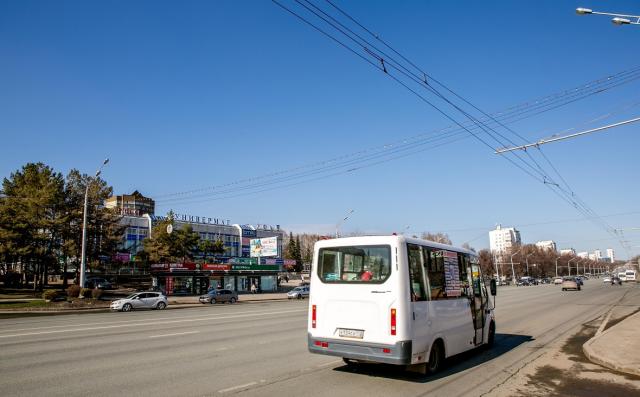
[(397, 300)]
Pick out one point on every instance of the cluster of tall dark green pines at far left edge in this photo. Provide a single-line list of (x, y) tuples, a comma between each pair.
[(41, 214)]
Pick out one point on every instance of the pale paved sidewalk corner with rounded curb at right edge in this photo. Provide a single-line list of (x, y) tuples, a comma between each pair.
[(618, 347)]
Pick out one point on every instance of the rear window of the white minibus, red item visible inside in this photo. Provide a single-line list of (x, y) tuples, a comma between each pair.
[(356, 264)]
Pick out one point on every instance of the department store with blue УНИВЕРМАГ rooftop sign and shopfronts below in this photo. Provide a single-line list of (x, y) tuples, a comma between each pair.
[(235, 269)]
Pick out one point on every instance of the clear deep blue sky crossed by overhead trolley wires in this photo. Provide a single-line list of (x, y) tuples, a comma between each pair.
[(185, 96)]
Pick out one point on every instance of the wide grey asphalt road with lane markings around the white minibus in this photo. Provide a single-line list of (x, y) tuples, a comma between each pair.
[(260, 349)]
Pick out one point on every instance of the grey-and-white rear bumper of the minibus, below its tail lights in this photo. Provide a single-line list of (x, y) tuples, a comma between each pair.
[(398, 353)]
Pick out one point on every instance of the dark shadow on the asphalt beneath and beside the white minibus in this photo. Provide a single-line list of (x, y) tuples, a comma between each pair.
[(455, 364)]
